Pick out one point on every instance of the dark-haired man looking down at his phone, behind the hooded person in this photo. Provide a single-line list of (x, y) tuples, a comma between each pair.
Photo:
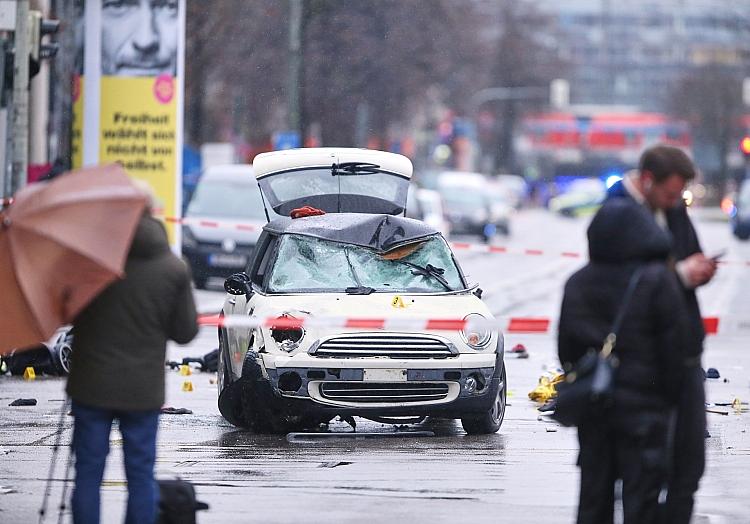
[(657, 186)]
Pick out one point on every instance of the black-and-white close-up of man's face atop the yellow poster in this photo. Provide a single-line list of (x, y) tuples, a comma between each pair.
[(139, 37)]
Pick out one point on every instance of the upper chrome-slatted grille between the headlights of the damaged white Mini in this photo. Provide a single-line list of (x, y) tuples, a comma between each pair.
[(382, 345)]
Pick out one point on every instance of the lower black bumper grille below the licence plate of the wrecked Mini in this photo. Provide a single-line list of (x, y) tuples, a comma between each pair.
[(383, 392)]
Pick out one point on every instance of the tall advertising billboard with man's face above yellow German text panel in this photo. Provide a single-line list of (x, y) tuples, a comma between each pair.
[(138, 64)]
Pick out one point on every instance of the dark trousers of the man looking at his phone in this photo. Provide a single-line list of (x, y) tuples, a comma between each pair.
[(689, 459)]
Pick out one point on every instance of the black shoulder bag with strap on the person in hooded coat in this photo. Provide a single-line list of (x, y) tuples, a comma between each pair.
[(588, 388)]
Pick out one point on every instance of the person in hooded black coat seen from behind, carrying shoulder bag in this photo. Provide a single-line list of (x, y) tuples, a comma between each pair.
[(629, 441)]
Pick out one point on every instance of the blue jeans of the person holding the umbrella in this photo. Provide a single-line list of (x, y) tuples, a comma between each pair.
[(91, 447)]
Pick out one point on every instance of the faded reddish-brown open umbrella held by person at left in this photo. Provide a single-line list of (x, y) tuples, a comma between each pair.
[(61, 243)]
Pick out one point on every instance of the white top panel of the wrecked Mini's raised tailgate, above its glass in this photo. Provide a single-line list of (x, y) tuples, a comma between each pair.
[(291, 159)]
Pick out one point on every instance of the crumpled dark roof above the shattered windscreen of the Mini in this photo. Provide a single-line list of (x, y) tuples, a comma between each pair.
[(379, 232)]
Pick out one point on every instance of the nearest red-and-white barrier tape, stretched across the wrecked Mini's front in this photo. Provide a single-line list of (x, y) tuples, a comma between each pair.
[(518, 325)]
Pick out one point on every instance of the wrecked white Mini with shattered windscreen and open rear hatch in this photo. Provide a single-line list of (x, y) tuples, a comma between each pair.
[(359, 259)]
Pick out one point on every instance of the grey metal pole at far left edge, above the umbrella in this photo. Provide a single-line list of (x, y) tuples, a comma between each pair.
[(20, 127)]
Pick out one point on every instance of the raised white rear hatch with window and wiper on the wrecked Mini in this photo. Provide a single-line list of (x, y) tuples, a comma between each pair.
[(335, 180)]
